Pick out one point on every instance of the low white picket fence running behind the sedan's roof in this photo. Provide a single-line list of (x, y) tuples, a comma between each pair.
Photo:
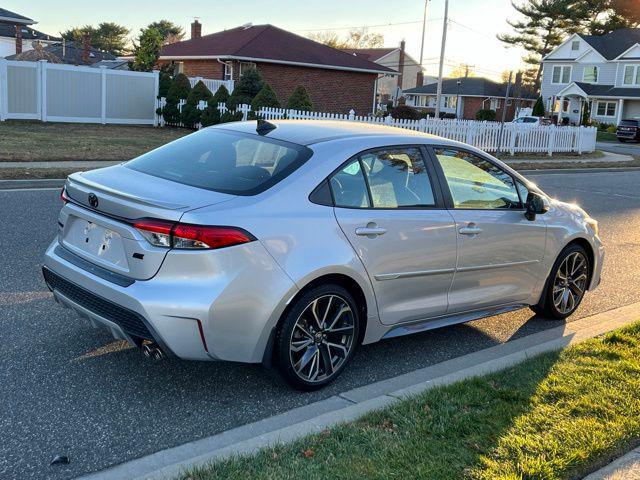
[(509, 137)]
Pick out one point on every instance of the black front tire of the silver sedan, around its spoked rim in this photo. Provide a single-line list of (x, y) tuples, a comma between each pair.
[(548, 305)]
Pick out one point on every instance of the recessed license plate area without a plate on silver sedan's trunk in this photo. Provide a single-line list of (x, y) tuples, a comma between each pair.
[(96, 243)]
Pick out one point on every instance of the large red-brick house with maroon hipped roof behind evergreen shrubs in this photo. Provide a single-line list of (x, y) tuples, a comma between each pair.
[(336, 81)]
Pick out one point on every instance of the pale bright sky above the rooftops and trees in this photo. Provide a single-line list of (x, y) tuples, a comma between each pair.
[(471, 36)]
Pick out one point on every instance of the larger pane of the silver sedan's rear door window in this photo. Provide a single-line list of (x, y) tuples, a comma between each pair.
[(397, 177)]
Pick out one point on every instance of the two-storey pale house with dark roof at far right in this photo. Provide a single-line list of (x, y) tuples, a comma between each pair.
[(594, 75)]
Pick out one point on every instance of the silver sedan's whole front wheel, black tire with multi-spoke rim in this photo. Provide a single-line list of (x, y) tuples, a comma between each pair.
[(566, 285)]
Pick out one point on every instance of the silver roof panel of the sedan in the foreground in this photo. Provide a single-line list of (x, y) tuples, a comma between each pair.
[(308, 132)]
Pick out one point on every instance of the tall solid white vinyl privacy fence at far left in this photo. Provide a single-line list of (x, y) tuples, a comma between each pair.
[(66, 93)]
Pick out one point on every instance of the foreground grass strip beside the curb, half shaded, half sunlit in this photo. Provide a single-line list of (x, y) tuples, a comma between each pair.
[(556, 416)]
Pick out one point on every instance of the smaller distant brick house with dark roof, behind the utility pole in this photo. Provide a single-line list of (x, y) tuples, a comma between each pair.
[(473, 93)]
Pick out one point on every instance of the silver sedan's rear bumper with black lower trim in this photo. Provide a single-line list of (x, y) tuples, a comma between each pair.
[(189, 309)]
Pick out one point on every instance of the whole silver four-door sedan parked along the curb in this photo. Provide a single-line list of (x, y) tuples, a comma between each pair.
[(298, 241)]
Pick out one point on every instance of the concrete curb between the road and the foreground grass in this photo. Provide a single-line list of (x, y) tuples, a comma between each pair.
[(354, 403)]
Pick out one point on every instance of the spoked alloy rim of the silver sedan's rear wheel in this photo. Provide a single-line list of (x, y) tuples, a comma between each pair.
[(322, 338)]
